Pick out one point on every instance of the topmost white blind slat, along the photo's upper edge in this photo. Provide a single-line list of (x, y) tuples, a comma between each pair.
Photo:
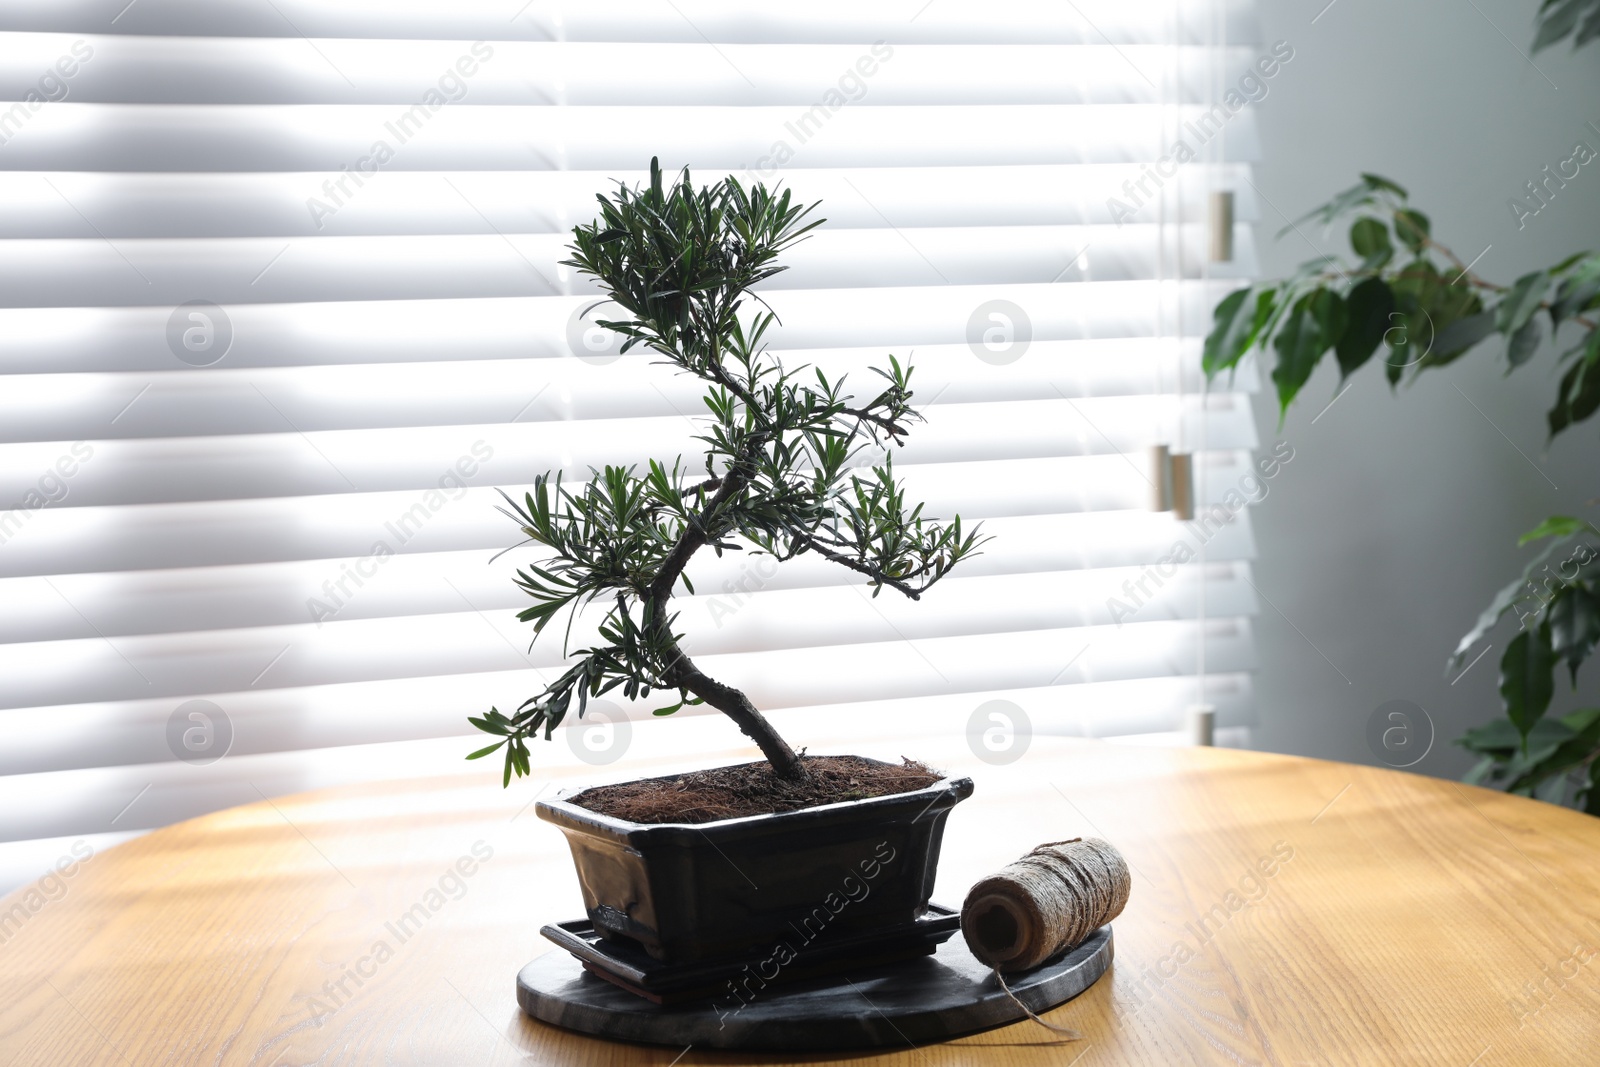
[(689, 22)]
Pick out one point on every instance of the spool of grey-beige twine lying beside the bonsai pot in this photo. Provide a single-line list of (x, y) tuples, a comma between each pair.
[(1046, 905)]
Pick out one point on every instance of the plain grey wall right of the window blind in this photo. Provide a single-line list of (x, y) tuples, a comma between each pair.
[(1399, 516)]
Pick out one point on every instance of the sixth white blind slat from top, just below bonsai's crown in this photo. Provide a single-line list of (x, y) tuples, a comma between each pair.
[(385, 332)]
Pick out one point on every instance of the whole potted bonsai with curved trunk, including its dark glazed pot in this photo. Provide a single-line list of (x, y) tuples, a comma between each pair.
[(780, 479)]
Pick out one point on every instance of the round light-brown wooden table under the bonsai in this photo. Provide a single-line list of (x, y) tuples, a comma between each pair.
[(1284, 911)]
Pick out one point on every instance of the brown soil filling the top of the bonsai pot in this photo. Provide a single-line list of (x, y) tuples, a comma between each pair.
[(751, 789)]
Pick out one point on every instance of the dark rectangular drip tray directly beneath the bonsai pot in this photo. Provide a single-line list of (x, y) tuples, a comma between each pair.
[(786, 961)]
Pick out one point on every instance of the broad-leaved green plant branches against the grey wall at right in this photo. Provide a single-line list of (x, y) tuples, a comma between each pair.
[(1410, 297)]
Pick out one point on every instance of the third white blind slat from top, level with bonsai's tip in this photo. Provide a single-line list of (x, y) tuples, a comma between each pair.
[(476, 137)]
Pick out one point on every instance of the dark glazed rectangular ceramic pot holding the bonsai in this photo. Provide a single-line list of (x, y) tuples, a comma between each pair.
[(735, 887)]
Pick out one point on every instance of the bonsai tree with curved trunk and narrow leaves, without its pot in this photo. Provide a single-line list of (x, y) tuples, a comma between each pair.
[(778, 463)]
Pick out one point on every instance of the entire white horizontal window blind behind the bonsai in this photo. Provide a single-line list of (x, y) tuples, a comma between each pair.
[(282, 308)]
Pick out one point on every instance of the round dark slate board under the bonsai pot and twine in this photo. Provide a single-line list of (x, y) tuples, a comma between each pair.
[(914, 1002)]
